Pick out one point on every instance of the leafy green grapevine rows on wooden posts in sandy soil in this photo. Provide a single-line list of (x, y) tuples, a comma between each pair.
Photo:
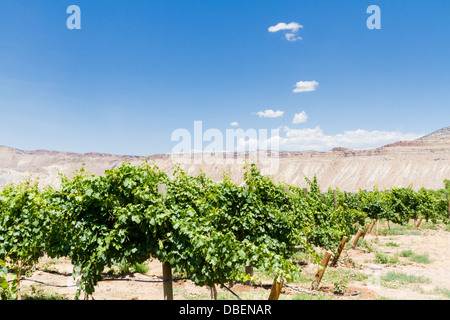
[(211, 233)]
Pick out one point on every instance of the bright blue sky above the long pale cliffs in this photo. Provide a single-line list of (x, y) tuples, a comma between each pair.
[(139, 70)]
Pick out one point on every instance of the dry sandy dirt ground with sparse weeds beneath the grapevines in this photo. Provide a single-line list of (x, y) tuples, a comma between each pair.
[(365, 278)]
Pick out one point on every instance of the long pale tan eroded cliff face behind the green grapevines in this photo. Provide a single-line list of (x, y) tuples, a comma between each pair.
[(420, 163)]
